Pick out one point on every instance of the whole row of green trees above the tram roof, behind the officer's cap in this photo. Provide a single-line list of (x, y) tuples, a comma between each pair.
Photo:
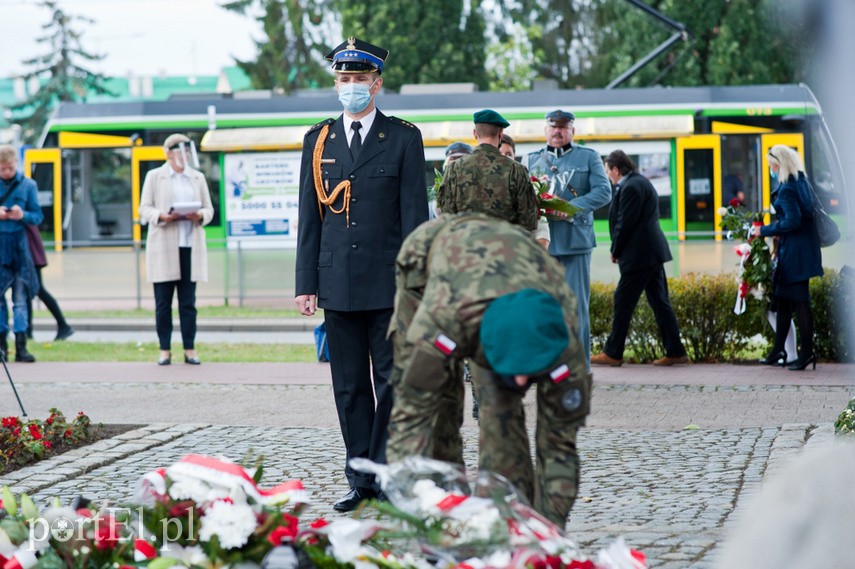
[(577, 43)]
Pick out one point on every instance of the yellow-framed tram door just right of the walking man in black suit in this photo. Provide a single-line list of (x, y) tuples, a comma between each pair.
[(698, 186)]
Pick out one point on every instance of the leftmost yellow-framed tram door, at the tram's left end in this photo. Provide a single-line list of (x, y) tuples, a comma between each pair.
[(44, 165)]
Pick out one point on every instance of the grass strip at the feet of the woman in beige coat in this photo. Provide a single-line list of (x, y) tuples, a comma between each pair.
[(219, 352)]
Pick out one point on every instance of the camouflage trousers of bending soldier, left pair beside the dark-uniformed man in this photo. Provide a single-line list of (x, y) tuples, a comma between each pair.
[(428, 412)]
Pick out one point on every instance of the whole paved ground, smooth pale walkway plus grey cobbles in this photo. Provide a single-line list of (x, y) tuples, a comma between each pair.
[(671, 491)]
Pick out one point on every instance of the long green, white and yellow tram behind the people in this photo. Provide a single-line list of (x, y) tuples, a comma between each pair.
[(694, 143)]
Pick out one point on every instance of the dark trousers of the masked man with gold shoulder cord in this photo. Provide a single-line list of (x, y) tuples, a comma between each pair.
[(354, 338)]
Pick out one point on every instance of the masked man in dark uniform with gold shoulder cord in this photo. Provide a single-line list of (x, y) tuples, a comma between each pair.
[(362, 190)]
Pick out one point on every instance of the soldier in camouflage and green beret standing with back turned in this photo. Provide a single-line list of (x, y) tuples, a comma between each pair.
[(487, 182)]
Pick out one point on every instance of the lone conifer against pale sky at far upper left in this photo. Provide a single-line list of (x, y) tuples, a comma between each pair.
[(62, 77)]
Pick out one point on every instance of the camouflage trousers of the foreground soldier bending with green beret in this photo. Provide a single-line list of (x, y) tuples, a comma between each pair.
[(552, 486)]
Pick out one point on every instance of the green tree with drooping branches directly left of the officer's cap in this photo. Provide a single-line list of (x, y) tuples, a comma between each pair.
[(288, 57)]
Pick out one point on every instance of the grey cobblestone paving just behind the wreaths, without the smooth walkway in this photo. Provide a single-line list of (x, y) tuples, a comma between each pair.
[(670, 494)]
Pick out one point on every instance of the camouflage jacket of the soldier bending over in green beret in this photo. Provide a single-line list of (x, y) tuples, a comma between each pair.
[(450, 269)]
